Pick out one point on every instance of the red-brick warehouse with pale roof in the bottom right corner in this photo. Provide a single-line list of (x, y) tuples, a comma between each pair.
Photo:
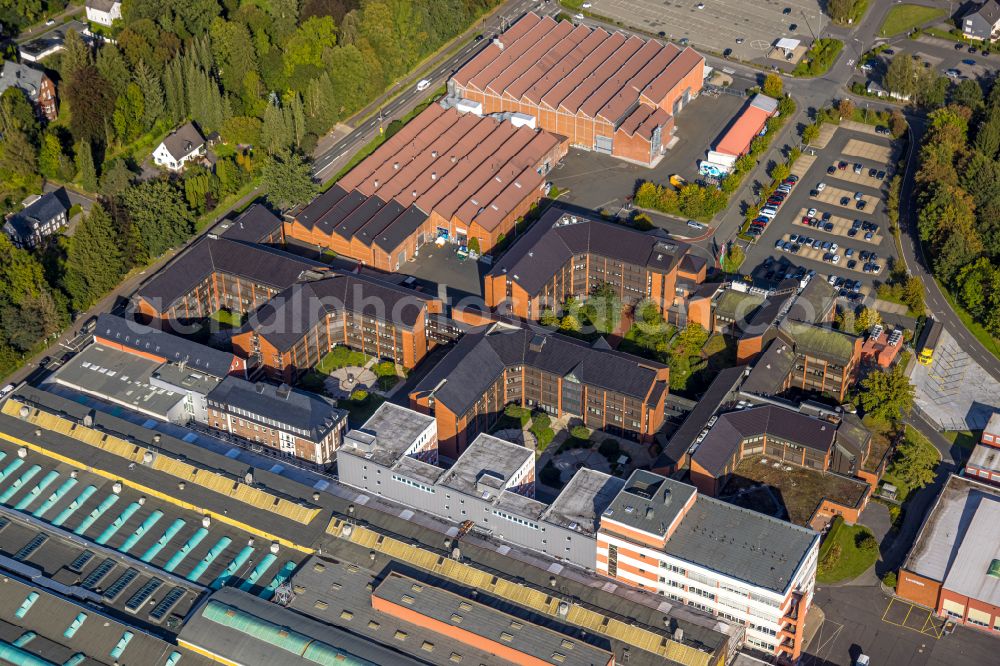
[(954, 565)]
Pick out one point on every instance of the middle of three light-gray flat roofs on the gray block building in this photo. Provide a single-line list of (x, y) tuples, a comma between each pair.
[(487, 456)]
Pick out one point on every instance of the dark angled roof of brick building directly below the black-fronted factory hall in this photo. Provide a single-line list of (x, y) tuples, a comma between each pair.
[(288, 316)]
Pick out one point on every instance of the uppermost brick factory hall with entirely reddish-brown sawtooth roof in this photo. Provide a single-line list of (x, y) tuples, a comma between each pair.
[(607, 92)]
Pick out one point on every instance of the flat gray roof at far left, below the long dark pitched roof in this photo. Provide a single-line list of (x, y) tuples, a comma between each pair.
[(120, 377)]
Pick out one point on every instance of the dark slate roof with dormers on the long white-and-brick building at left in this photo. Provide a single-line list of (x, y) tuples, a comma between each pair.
[(310, 412)]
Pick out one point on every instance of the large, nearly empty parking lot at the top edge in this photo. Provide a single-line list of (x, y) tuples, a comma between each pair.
[(716, 25)]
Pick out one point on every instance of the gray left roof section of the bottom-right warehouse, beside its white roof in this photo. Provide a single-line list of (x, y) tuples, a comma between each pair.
[(947, 526)]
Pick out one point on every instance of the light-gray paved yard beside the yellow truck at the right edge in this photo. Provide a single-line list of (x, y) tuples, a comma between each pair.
[(954, 391)]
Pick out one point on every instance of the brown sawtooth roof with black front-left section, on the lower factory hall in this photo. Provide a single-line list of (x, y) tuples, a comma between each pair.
[(442, 161)]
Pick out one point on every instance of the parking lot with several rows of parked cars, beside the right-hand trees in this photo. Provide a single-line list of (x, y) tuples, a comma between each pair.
[(816, 229)]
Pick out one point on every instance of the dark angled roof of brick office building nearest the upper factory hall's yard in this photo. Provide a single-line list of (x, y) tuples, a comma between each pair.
[(560, 235)]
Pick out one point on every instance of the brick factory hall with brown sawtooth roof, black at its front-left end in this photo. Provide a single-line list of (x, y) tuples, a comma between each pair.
[(444, 177)]
